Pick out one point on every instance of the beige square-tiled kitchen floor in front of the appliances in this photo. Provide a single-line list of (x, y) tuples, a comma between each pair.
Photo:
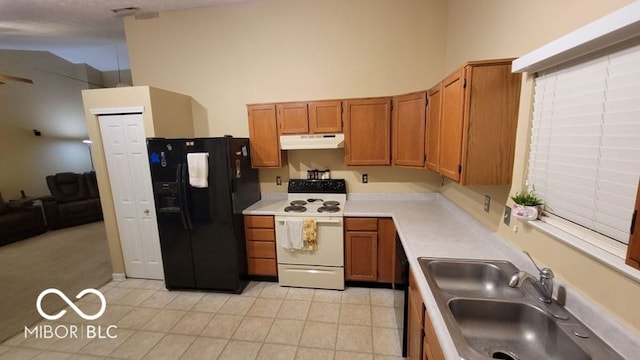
[(265, 322)]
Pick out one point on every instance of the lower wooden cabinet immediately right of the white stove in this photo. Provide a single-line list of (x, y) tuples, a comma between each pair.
[(369, 249)]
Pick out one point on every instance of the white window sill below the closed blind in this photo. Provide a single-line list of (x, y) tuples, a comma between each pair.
[(609, 258)]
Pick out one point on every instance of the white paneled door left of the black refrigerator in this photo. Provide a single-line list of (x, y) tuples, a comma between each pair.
[(125, 149)]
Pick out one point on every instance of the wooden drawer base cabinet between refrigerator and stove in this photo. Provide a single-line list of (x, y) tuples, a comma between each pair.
[(261, 245)]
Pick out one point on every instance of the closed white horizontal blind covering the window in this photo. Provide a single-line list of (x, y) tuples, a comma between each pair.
[(584, 159)]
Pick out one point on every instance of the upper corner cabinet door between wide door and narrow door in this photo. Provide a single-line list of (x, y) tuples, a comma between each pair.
[(409, 123)]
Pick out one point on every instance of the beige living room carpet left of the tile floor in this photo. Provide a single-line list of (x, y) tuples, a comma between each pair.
[(70, 260)]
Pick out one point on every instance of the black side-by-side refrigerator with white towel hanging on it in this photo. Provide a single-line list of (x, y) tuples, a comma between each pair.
[(201, 225)]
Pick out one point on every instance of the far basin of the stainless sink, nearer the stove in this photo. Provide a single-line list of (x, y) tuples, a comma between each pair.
[(474, 278)]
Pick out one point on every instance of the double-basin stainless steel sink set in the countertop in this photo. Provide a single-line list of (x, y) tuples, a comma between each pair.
[(488, 319)]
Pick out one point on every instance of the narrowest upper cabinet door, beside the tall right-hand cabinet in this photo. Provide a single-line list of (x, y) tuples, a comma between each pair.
[(432, 146)]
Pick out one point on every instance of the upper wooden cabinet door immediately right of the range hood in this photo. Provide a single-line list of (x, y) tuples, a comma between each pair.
[(367, 131)]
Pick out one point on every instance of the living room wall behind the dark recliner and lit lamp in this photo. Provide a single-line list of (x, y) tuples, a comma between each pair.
[(52, 105)]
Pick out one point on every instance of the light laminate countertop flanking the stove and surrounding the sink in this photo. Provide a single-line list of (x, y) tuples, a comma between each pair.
[(431, 226)]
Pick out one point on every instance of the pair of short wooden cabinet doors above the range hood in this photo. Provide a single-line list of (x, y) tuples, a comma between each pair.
[(318, 117)]
